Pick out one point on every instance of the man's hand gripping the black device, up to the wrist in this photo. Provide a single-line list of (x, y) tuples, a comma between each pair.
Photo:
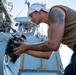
[(21, 48)]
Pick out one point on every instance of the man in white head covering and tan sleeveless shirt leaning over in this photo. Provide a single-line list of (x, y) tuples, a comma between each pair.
[(62, 29)]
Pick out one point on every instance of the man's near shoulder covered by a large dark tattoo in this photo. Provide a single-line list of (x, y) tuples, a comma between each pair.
[(56, 15)]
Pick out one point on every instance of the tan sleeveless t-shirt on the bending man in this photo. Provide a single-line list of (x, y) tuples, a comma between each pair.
[(69, 37)]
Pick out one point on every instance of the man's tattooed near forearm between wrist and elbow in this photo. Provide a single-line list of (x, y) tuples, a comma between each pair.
[(44, 46)]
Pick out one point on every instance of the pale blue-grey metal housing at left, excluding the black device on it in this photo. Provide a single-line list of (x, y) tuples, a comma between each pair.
[(6, 66)]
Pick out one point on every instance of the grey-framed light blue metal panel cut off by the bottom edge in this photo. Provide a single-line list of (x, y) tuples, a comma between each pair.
[(39, 72)]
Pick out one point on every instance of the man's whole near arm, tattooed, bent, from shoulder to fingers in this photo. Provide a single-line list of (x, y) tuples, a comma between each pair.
[(56, 31)]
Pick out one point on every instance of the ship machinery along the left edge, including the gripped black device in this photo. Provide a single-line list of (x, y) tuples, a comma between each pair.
[(9, 63)]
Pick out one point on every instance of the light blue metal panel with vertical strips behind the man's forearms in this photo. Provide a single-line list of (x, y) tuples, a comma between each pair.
[(30, 62)]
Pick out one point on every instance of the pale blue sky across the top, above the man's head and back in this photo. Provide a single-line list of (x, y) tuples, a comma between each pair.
[(19, 5)]
